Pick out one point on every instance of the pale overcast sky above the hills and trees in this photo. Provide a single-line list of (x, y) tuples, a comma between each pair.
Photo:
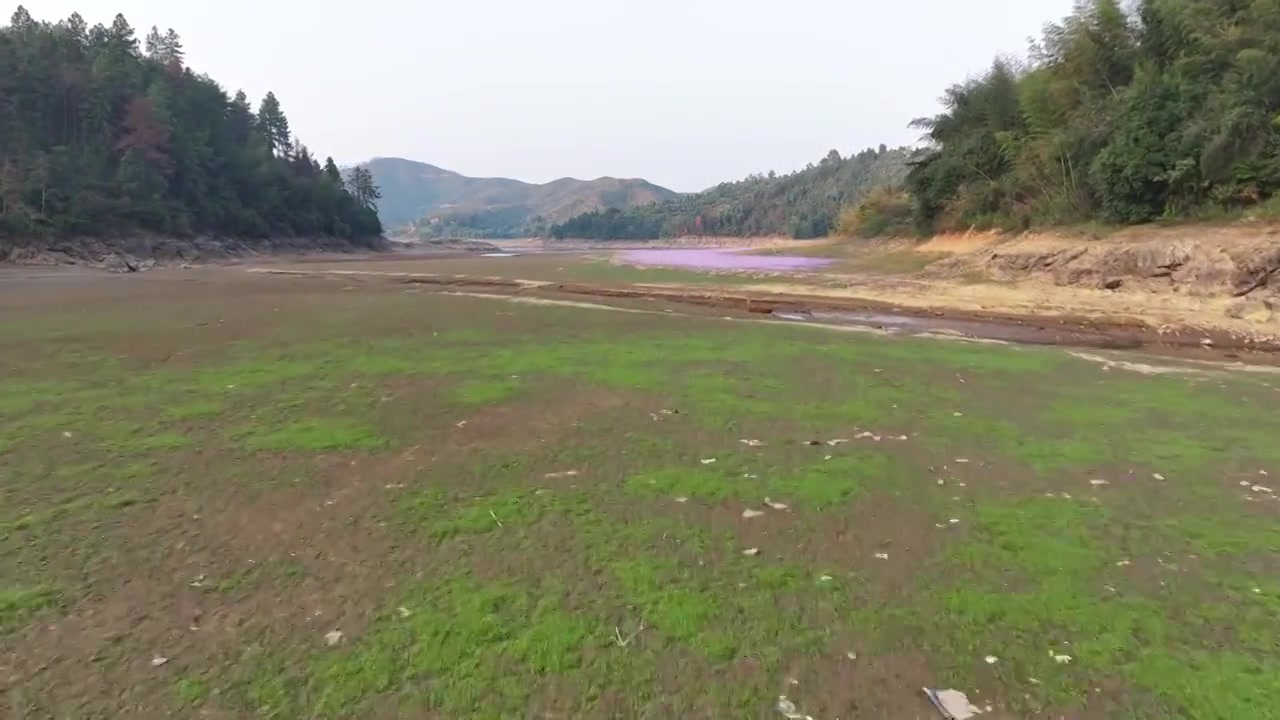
[(683, 93)]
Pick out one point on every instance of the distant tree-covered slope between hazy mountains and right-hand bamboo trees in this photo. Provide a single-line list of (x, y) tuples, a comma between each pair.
[(803, 204)]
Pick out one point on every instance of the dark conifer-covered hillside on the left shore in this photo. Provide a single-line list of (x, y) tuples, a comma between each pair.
[(102, 136)]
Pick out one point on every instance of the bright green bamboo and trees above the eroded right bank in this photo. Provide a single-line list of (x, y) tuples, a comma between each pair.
[(1168, 111)]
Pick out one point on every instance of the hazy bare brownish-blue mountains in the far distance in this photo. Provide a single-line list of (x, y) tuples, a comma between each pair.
[(436, 203)]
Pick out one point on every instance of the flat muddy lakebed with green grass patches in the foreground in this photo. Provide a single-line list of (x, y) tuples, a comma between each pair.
[(239, 495)]
